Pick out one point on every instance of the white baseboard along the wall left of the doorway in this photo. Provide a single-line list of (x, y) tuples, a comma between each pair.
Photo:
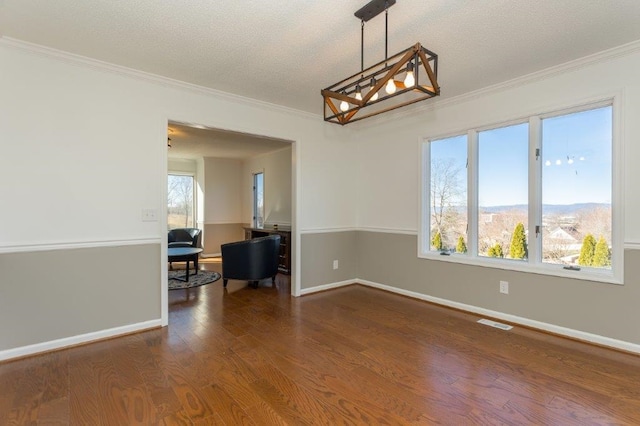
[(77, 340)]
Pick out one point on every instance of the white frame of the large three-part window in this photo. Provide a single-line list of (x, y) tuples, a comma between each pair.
[(534, 262)]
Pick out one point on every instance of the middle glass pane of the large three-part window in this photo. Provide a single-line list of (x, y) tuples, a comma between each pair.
[(503, 192)]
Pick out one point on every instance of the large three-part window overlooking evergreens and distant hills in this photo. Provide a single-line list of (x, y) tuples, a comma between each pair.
[(533, 195)]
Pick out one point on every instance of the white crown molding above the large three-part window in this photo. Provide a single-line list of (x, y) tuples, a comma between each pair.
[(603, 56)]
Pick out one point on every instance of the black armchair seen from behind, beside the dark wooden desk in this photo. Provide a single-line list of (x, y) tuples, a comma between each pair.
[(251, 260)]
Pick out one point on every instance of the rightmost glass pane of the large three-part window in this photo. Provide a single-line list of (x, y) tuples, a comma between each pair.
[(577, 188)]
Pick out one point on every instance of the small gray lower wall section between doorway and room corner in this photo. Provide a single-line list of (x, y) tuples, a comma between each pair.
[(317, 253)]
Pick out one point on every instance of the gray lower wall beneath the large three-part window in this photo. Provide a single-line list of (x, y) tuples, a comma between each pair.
[(604, 309)]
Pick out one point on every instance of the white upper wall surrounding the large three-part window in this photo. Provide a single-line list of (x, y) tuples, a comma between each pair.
[(389, 152)]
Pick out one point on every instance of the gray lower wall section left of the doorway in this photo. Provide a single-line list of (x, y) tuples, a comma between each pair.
[(49, 295)]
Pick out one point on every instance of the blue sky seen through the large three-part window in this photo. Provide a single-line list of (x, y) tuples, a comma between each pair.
[(576, 160)]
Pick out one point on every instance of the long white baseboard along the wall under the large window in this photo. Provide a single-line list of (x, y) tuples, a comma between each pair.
[(551, 328)]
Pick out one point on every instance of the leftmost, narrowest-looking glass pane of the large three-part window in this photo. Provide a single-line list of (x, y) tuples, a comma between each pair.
[(449, 194)]
